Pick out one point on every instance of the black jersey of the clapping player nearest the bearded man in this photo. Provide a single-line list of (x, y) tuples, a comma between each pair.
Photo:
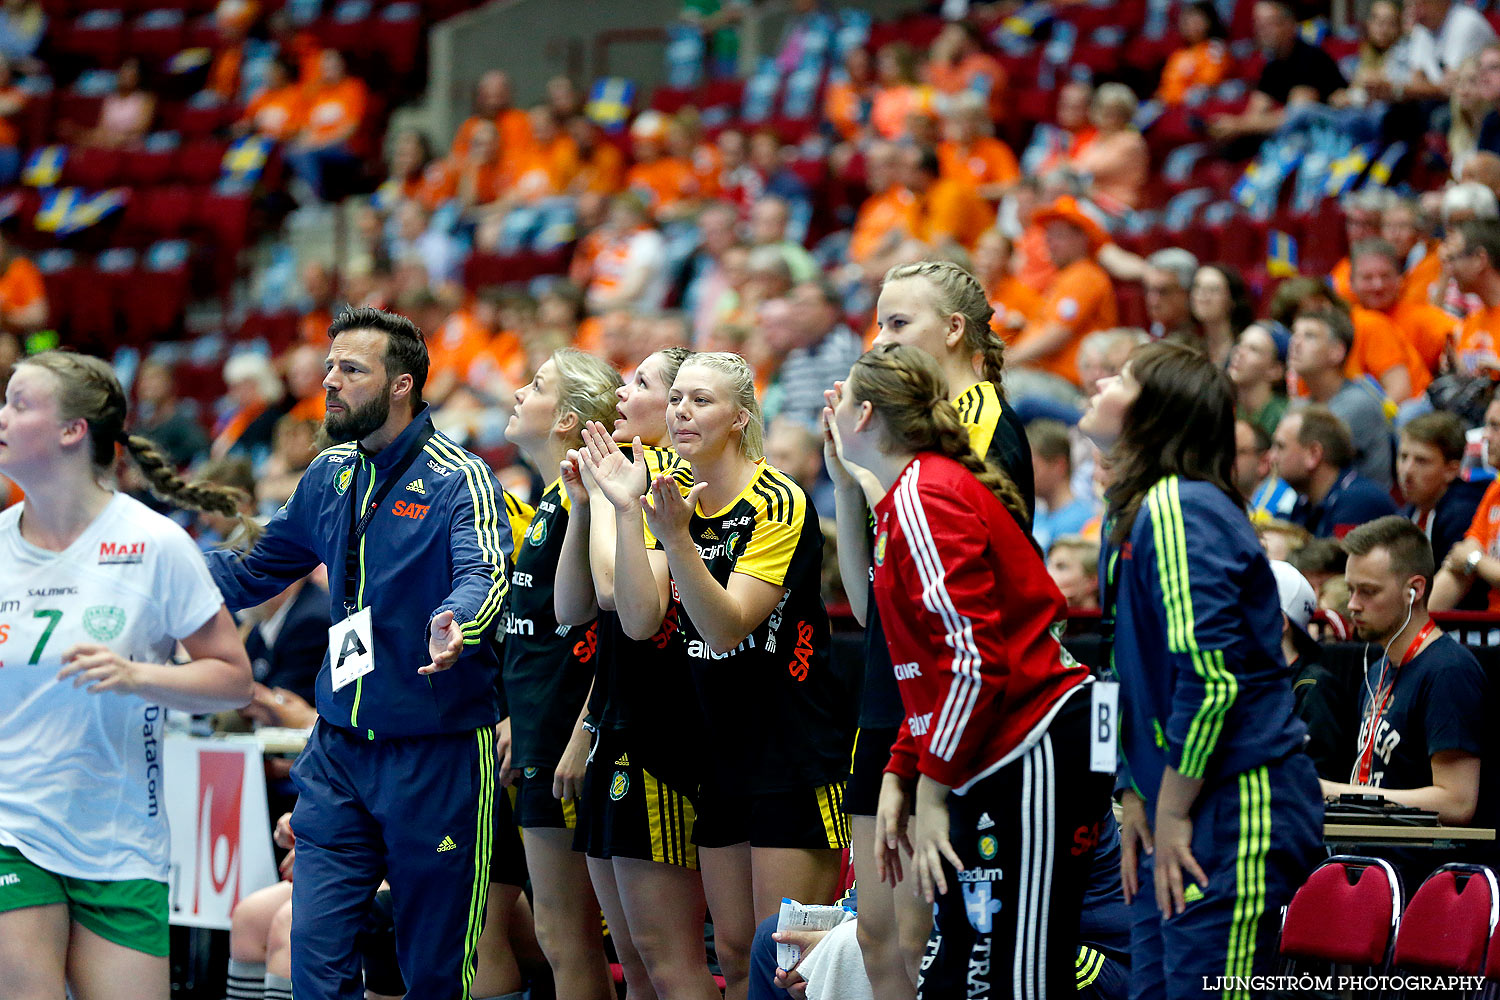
[(547, 668)]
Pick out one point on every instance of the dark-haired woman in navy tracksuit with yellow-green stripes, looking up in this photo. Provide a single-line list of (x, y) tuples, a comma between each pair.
[(1220, 806)]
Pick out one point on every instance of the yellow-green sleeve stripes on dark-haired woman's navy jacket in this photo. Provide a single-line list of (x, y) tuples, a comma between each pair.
[(1220, 686)]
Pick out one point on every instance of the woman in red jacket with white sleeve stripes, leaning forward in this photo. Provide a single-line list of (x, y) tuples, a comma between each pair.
[(995, 722)]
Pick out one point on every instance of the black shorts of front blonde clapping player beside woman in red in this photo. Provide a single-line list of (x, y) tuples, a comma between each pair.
[(808, 819)]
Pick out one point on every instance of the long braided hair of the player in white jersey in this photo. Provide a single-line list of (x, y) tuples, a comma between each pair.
[(88, 391)]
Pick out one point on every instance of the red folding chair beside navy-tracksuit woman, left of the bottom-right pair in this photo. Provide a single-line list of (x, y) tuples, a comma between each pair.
[(1348, 912)]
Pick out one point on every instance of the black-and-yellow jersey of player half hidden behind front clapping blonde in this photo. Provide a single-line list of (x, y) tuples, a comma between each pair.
[(644, 689)]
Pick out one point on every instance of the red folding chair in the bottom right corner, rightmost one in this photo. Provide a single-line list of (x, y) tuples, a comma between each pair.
[(1450, 921)]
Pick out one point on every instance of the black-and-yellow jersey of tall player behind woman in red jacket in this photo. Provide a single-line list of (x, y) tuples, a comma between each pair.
[(997, 434)]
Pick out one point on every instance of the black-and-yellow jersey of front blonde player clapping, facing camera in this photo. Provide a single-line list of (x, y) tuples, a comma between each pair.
[(781, 714)]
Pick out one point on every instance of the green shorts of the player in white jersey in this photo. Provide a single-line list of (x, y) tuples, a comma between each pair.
[(131, 914)]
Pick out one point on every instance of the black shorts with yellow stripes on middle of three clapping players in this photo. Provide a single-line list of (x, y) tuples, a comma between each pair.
[(631, 813)]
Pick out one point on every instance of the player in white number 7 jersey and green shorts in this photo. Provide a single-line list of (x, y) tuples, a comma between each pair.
[(95, 593)]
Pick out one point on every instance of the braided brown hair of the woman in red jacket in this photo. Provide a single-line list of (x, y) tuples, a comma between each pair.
[(907, 389)]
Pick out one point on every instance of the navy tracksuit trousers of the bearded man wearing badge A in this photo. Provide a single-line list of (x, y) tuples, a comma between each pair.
[(355, 827)]
